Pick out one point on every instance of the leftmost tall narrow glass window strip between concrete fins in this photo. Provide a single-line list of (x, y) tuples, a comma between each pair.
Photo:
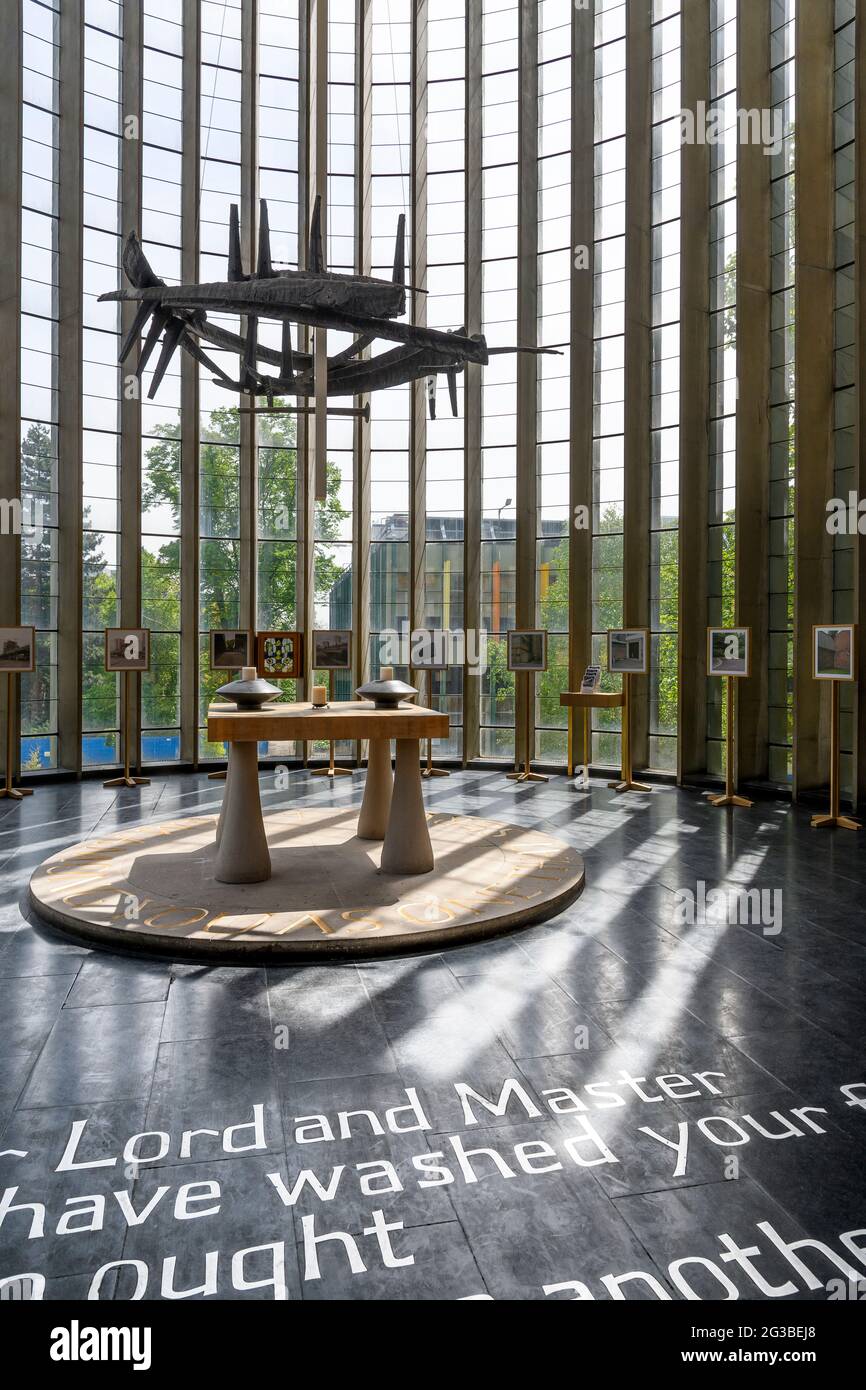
[(40, 363)]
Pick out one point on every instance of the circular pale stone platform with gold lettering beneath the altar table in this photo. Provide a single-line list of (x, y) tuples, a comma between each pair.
[(154, 889)]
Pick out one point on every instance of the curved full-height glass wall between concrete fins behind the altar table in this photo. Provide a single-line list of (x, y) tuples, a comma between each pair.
[(230, 522)]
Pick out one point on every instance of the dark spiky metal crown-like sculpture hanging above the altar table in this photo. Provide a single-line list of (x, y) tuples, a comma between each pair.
[(315, 298)]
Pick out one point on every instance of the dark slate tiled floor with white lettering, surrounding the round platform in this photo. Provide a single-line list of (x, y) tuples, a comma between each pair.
[(630, 1178)]
